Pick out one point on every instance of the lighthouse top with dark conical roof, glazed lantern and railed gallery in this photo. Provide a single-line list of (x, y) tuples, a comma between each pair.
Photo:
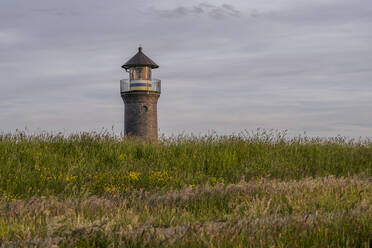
[(139, 68)]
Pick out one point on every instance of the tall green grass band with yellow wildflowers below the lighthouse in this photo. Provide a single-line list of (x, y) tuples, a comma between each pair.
[(95, 164)]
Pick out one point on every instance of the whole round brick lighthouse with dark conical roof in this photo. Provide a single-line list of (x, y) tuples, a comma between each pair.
[(140, 94)]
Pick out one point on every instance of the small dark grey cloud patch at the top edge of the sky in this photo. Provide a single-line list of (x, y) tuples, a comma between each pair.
[(207, 9)]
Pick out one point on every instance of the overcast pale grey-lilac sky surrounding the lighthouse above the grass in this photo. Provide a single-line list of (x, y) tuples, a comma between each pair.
[(226, 66)]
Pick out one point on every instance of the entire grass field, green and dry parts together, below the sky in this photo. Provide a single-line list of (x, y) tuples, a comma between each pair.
[(246, 190)]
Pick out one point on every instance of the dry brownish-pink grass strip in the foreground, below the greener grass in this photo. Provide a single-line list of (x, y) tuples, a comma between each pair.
[(272, 212)]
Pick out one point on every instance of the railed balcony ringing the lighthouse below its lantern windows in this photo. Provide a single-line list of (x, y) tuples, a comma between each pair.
[(153, 85)]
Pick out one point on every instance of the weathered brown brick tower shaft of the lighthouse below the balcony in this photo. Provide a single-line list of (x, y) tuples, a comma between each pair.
[(141, 115)]
